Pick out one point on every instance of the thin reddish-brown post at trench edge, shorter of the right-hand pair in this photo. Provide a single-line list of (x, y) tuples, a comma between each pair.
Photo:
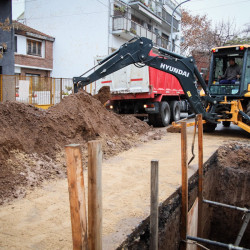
[(184, 187)]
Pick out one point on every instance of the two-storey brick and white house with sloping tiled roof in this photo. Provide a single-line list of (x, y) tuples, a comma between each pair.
[(33, 51)]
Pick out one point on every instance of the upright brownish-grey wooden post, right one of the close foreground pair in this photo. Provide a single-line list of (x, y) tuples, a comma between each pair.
[(94, 195)]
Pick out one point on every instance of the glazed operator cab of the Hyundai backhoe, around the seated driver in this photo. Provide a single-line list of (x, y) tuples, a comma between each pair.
[(220, 62)]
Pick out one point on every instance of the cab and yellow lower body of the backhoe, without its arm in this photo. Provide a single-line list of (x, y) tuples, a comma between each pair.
[(232, 96)]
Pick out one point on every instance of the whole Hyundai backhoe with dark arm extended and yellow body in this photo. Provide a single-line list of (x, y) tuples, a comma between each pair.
[(216, 102)]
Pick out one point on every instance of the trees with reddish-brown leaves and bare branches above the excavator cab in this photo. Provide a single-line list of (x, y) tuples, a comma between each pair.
[(199, 35)]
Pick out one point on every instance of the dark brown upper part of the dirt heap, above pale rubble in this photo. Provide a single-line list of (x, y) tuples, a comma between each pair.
[(77, 118)]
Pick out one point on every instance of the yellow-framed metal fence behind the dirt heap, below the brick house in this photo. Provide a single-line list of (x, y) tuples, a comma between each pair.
[(42, 92)]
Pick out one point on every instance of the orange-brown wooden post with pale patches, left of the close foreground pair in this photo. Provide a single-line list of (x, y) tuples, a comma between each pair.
[(76, 196)]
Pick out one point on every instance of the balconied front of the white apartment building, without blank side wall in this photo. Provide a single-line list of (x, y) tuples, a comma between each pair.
[(151, 19)]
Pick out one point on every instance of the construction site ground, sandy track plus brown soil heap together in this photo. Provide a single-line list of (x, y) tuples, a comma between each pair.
[(34, 191)]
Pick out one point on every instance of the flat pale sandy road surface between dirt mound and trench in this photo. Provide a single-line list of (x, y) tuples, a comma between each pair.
[(41, 220)]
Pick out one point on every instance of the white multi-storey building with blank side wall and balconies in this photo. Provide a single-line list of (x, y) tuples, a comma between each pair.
[(86, 30)]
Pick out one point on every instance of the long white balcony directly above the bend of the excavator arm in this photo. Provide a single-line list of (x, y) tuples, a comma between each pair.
[(127, 29)]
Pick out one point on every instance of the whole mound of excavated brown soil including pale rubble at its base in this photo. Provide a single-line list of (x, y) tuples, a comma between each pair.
[(32, 140)]
